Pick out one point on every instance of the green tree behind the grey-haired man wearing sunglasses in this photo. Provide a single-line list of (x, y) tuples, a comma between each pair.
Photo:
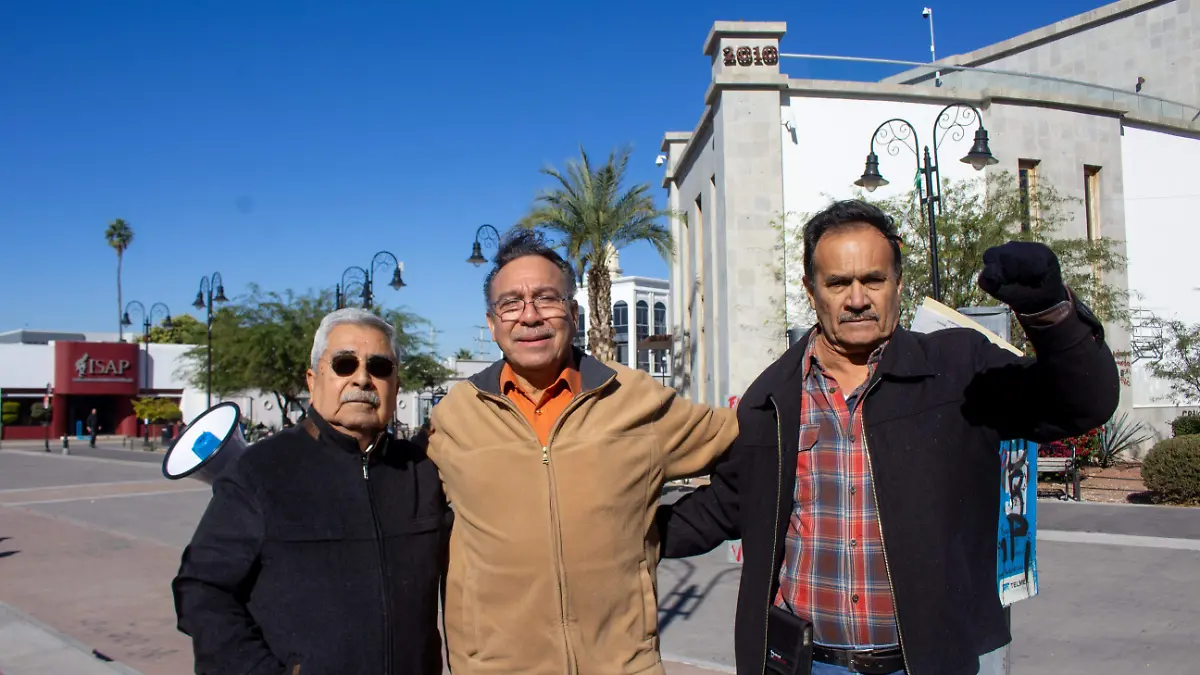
[(265, 343)]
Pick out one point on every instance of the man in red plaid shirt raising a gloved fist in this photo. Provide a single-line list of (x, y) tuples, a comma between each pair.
[(863, 481)]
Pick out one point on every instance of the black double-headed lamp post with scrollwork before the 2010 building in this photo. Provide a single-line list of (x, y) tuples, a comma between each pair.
[(953, 121)]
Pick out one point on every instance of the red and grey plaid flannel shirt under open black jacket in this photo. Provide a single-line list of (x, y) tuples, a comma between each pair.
[(835, 574)]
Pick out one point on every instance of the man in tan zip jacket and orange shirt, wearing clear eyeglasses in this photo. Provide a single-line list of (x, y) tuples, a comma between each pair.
[(555, 463)]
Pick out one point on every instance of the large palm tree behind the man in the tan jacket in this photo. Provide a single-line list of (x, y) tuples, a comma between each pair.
[(590, 213)]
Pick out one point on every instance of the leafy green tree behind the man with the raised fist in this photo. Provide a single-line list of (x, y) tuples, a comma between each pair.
[(976, 216)]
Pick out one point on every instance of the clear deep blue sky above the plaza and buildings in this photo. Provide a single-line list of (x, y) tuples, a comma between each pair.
[(280, 142)]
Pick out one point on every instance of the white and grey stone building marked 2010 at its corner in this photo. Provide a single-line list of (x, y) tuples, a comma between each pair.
[(770, 151)]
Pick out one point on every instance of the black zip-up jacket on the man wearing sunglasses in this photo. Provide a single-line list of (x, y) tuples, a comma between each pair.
[(303, 561)]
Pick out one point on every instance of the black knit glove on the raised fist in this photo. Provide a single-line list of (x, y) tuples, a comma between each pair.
[(1024, 276)]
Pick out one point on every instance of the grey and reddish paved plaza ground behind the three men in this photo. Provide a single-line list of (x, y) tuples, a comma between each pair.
[(89, 546)]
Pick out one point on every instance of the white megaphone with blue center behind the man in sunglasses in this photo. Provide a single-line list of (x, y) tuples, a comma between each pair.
[(211, 444)]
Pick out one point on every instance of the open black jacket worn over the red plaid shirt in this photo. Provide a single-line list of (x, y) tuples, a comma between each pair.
[(935, 414)]
